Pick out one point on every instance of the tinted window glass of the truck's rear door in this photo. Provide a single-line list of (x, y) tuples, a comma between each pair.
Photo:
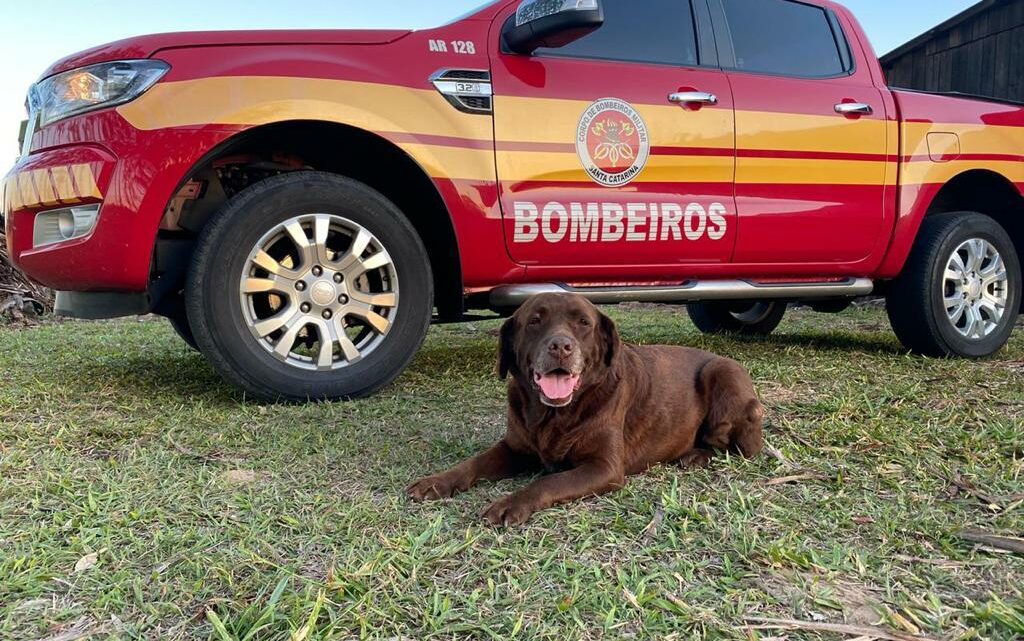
[(784, 38)]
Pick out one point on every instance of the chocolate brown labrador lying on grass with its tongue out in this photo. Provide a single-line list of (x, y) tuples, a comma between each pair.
[(591, 410)]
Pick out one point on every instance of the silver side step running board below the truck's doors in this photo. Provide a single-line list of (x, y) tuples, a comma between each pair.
[(516, 295)]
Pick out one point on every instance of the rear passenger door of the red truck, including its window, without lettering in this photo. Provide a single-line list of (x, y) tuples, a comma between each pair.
[(813, 136)]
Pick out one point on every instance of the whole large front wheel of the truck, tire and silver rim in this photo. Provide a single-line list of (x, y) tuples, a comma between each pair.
[(310, 286)]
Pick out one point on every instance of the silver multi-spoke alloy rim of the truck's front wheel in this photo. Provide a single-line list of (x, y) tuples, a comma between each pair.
[(320, 292)]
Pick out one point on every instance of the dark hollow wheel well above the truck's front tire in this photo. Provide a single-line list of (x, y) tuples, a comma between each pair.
[(329, 147)]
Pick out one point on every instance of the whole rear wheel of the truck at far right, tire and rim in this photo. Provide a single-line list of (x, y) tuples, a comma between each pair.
[(960, 293)]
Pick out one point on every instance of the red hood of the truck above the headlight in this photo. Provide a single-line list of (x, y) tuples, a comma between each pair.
[(147, 47)]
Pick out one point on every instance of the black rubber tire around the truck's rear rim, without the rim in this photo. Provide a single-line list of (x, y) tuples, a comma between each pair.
[(915, 301)]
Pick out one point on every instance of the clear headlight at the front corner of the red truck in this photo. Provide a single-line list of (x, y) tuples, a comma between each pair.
[(94, 88)]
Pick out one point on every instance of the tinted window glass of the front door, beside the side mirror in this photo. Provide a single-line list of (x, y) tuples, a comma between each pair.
[(651, 31)]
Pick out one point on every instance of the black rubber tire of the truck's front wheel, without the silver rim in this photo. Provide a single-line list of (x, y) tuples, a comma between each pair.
[(220, 323)]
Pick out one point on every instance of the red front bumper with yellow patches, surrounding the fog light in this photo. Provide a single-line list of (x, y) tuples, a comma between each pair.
[(100, 158)]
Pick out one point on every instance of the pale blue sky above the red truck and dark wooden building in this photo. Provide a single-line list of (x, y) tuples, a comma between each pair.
[(33, 36)]
